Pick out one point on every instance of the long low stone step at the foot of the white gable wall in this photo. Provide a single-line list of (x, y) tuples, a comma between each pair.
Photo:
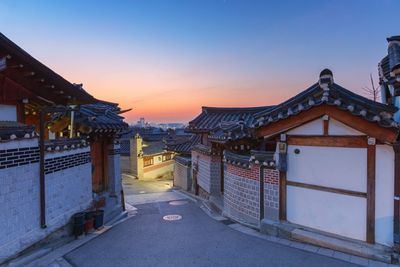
[(376, 252)]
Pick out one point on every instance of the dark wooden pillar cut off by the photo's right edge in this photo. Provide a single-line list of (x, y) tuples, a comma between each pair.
[(396, 212)]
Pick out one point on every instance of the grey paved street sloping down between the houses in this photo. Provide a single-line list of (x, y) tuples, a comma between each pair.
[(195, 240)]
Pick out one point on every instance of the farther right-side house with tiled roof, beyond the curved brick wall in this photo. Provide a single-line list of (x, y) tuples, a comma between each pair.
[(207, 156)]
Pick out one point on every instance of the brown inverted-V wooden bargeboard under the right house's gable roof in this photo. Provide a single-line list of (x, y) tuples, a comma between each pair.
[(371, 129)]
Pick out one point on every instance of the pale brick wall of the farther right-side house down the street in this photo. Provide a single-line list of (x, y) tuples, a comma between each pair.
[(208, 173)]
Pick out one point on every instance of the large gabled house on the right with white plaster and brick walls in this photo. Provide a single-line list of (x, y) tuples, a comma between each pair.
[(323, 164)]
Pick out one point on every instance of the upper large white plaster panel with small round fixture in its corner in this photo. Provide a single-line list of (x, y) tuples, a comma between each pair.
[(337, 167)]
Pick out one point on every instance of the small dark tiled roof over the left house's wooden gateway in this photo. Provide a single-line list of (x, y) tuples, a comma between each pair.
[(102, 117)]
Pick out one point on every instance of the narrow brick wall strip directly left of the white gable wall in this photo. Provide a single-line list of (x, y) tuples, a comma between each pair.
[(271, 194)]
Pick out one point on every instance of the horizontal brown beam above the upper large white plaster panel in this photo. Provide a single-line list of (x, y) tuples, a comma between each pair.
[(328, 141)]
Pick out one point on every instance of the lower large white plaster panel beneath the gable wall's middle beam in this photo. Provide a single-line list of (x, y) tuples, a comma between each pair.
[(334, 213)]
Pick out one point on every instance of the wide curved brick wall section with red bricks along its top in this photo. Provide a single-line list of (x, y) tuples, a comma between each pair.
[(242, 193)]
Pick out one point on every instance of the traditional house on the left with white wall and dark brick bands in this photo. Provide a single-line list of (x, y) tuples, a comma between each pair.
[(48, 132)]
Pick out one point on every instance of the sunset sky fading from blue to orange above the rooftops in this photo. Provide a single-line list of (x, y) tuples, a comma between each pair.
[(166, 59)]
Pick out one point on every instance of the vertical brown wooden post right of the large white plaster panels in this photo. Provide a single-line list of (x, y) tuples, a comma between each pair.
[(371, 155)]
